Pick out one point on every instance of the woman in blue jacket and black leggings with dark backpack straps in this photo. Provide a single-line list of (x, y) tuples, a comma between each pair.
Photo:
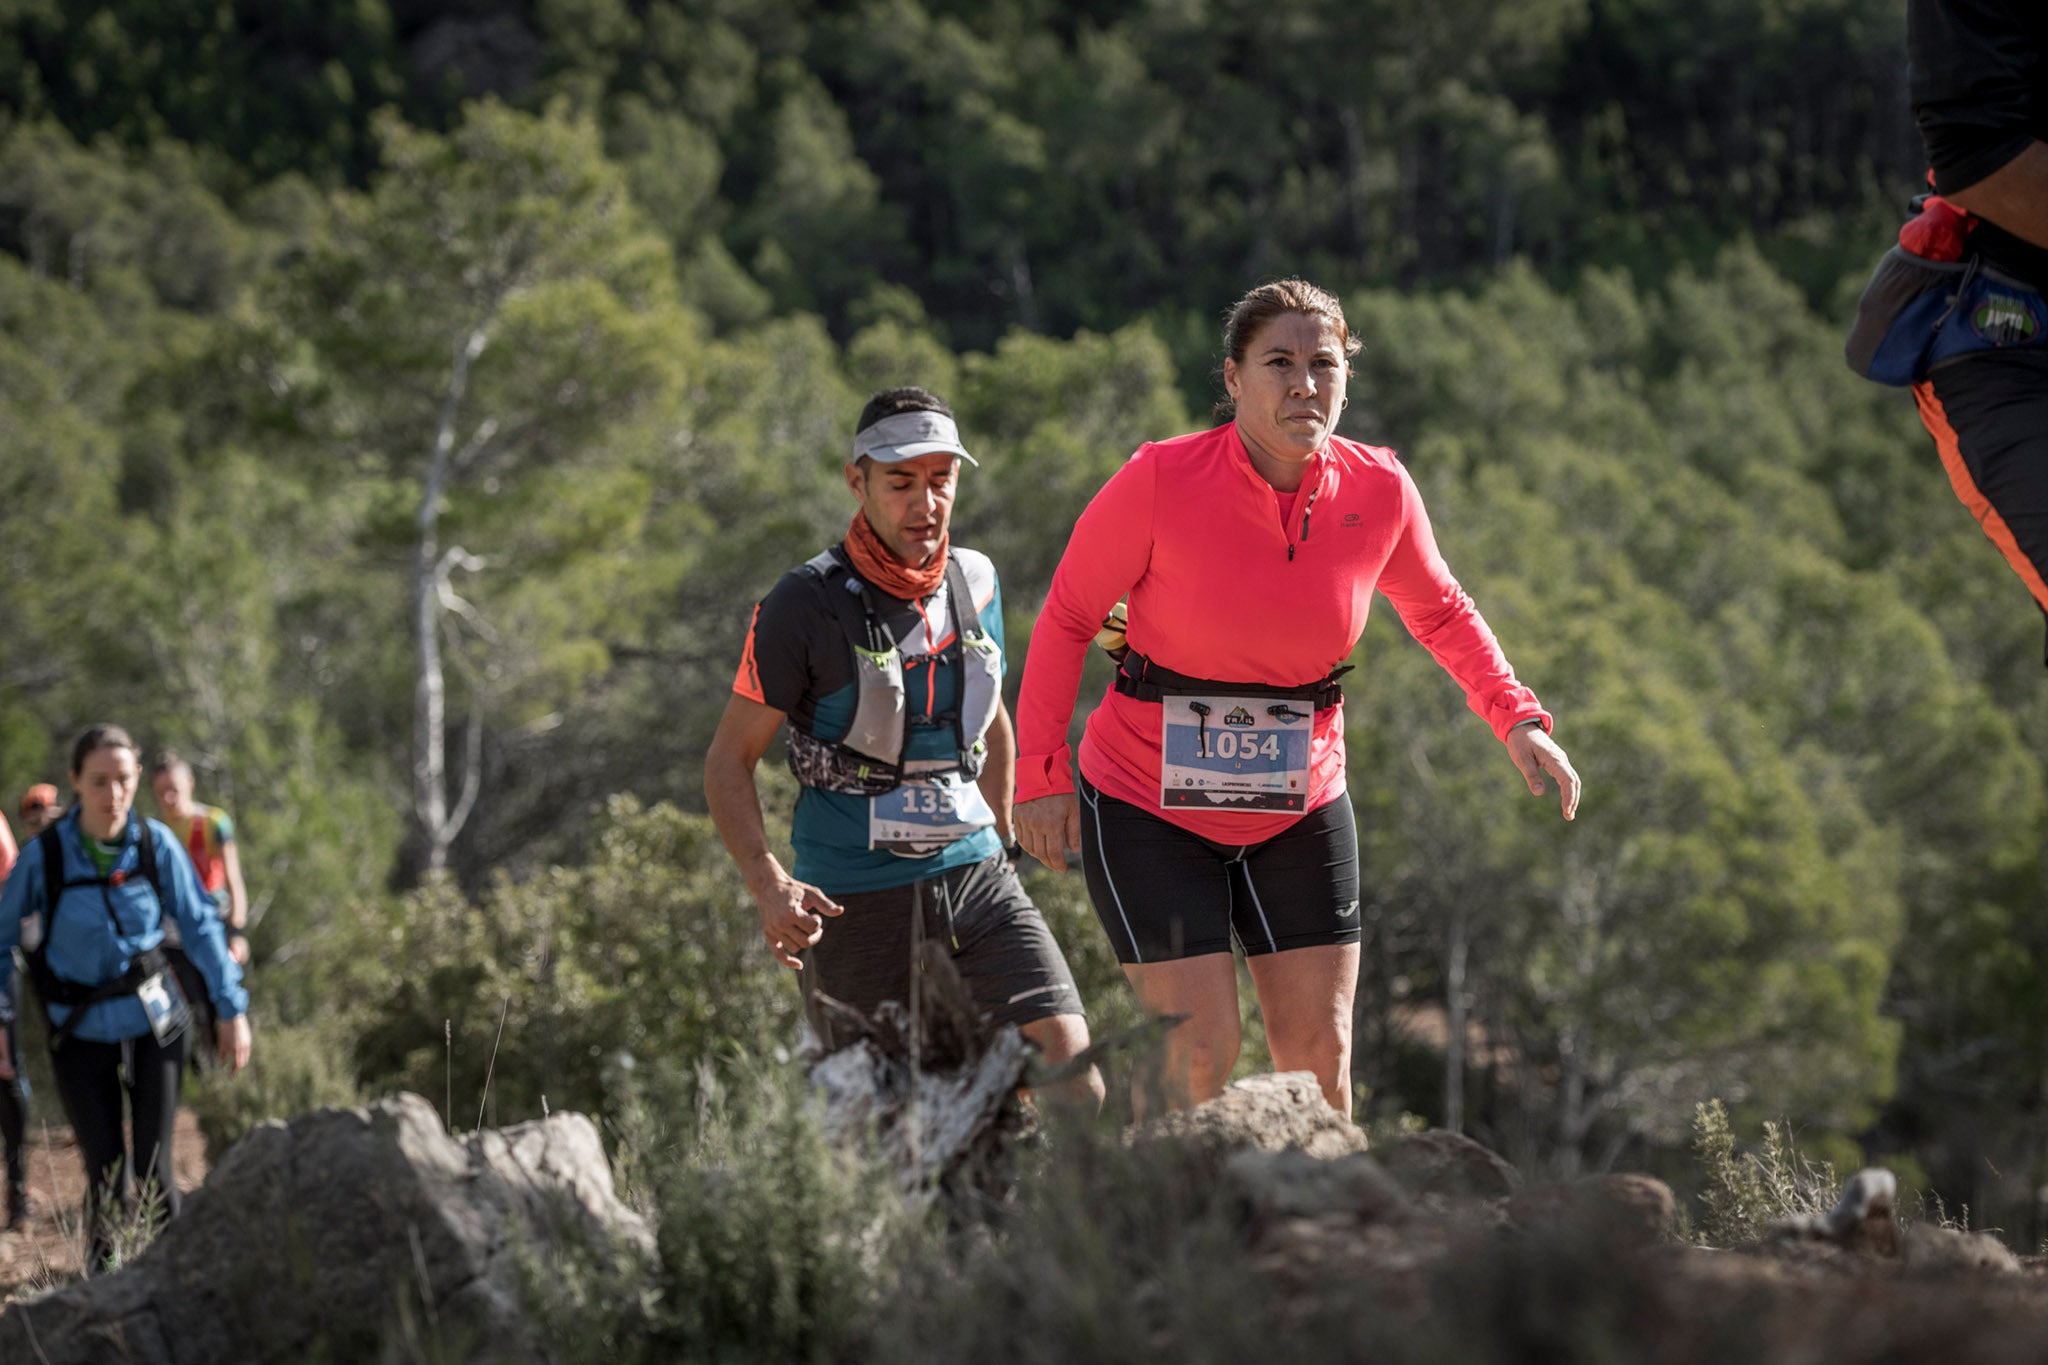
[(87, 906)]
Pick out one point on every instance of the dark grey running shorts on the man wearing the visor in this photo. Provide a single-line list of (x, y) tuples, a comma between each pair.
[(1000, 944)]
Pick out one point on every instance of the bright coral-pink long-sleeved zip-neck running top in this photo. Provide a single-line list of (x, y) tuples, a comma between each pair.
[(1232, 580)]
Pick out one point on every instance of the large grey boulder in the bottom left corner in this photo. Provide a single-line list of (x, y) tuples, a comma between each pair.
[(310, 1235)]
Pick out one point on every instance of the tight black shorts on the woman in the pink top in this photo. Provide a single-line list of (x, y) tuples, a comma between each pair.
[(1166, 893)]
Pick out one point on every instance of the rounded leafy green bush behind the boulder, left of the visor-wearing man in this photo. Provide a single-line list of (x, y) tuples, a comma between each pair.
[(548, 992)]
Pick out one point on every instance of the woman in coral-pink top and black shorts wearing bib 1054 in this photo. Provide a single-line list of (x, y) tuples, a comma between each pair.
[(1209, 803)]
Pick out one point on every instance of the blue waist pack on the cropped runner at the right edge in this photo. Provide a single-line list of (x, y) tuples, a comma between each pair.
[(1918, 312)]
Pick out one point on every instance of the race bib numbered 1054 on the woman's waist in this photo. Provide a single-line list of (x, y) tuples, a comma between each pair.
[(1234, 752)]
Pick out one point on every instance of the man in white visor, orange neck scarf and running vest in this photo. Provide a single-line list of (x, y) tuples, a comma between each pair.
[(886, 654)]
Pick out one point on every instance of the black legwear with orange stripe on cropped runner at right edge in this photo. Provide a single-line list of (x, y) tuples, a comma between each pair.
[(1990, 419)]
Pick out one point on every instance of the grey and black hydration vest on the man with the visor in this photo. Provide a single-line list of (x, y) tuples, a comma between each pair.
[(869, 760)]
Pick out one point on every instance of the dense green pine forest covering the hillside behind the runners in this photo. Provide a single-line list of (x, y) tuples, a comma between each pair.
[(402, 402)]
